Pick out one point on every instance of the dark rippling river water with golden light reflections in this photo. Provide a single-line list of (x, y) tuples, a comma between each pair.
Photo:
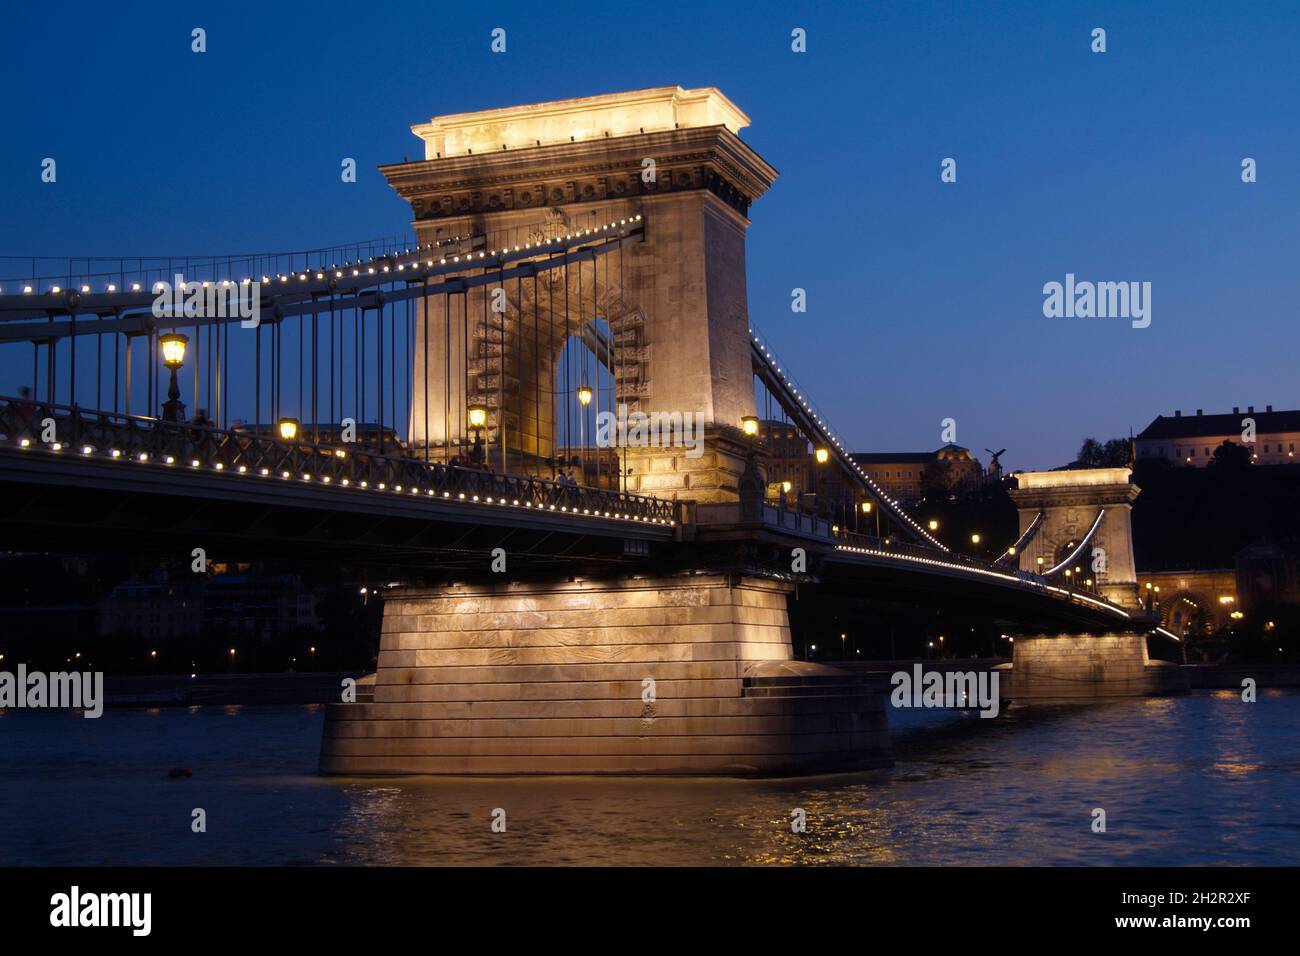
[(1199, 780)]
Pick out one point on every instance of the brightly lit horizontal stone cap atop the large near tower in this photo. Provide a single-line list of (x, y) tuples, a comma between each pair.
[(582, 119)]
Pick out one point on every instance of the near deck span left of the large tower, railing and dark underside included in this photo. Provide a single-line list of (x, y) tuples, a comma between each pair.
[(115, 478)]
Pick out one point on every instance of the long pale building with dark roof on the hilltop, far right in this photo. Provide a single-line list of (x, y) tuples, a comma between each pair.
[(1190, 440)]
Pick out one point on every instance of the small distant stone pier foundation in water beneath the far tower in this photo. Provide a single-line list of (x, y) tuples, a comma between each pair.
[(1064, 668)]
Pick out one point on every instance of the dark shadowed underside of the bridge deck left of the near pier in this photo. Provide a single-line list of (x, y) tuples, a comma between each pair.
[(417, 539)]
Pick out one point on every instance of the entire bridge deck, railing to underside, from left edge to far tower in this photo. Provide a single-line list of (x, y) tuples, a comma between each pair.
[(112, 479)]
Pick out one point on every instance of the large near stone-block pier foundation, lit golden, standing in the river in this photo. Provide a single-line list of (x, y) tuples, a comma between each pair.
[(673, 676)]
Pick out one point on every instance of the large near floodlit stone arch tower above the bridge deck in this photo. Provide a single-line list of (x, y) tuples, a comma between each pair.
[(679, 312)]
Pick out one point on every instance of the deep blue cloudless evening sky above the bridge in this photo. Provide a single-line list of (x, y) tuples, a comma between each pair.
[(925, 300)]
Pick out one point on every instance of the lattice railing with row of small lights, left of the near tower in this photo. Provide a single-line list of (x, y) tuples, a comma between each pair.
[(27, 423)]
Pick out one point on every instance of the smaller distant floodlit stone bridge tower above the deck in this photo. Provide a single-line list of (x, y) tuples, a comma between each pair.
[(1071, 503)]
